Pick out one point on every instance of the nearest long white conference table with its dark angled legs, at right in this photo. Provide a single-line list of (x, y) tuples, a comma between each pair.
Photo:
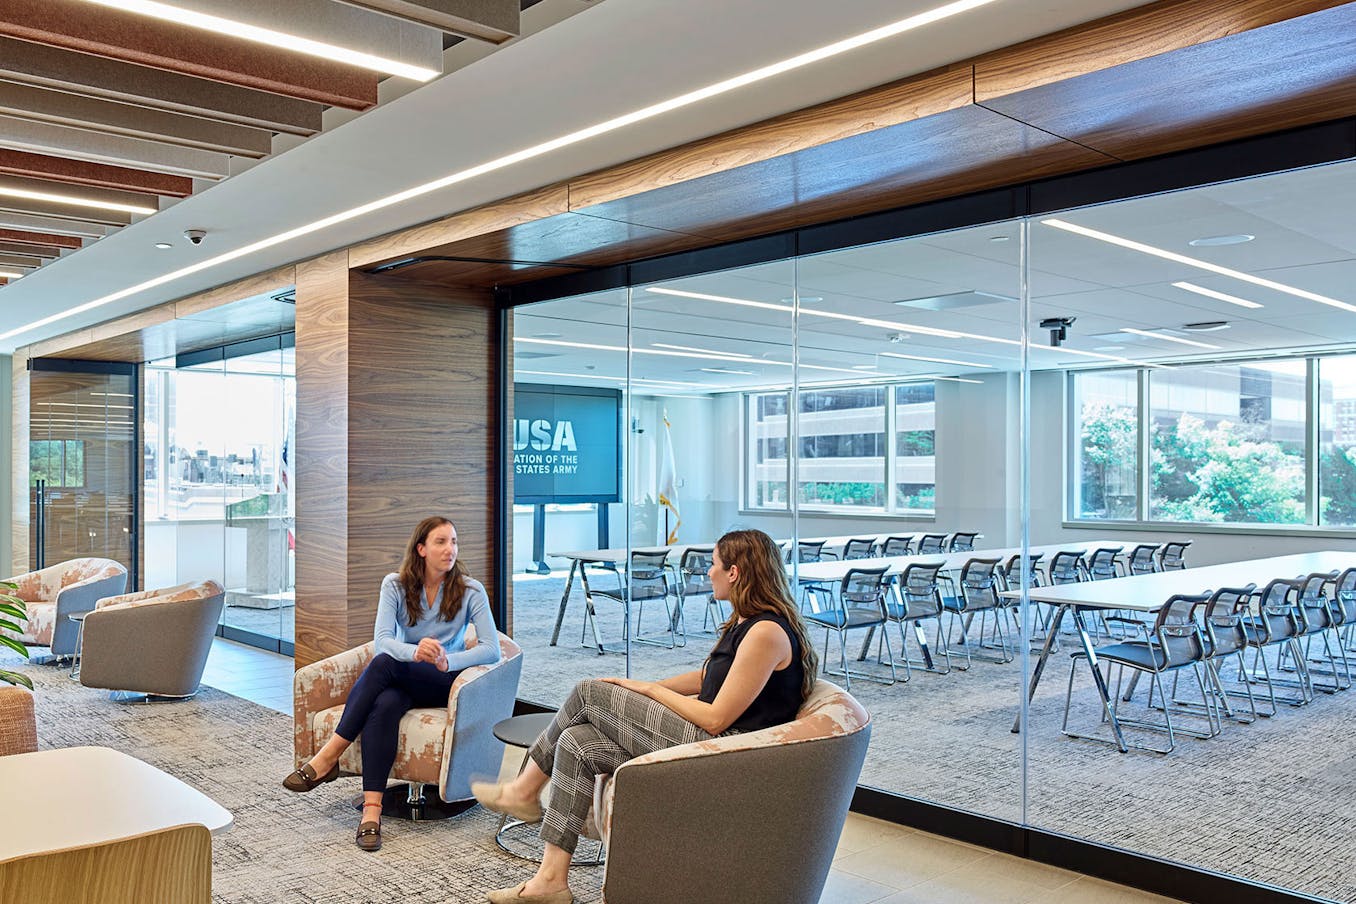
[(1149, 593)]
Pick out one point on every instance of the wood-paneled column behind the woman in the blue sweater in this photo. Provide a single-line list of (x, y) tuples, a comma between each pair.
[(397, 419)]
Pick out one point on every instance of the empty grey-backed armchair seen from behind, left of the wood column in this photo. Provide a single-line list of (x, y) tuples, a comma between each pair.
[(153, 643)]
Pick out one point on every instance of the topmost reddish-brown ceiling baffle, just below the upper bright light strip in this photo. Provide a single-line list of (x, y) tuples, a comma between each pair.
[(134, 39)]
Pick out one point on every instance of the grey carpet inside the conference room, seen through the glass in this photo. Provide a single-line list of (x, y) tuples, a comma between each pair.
[(1269, 802)]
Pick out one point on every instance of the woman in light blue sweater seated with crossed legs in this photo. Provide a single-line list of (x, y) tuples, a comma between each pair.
[(421, 640)]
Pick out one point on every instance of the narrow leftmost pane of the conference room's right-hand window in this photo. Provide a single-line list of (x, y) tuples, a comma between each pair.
[(1107, 445)]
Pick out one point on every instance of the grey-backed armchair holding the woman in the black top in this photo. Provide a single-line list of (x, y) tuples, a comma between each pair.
[(760, 813)]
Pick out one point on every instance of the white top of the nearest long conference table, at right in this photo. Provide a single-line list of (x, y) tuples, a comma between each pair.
[(1148, 593)]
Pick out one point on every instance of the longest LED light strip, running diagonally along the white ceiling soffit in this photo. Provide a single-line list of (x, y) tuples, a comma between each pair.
[(535, 151)]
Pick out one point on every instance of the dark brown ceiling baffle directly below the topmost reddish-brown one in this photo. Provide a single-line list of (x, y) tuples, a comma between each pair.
[(54, 68)]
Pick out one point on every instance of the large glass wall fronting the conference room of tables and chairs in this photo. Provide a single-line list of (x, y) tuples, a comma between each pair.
[(1186, 367)]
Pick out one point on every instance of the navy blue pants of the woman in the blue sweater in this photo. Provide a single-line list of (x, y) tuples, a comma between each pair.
[(387, 691)]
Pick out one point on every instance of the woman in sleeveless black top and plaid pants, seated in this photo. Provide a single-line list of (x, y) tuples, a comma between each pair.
[(757, 676)]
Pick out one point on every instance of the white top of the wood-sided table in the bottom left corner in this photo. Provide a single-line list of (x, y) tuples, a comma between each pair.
[(93, 795)]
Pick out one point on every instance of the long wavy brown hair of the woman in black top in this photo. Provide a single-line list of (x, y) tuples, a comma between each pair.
[(763, 588)]
